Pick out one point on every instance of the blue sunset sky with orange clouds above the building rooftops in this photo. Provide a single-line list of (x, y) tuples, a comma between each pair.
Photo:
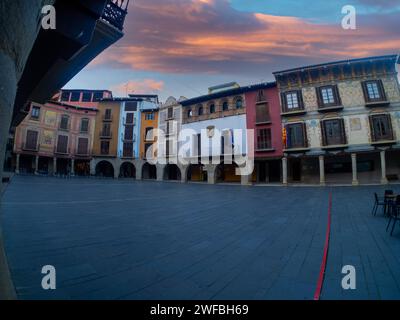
[(182, 47)]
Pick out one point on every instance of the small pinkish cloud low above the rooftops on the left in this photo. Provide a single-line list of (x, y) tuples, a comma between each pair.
[(138, 87)]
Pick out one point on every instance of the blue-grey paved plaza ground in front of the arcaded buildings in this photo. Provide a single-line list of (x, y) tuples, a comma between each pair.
[(112, 239)]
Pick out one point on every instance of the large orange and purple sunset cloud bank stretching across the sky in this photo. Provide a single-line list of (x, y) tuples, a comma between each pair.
[(209, 36)]
